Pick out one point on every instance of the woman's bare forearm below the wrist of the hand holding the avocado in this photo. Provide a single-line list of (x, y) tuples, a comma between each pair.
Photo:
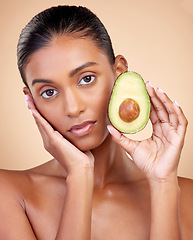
[(165, 212)]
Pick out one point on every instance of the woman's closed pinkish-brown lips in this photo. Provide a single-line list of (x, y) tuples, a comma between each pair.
[(82, 129)]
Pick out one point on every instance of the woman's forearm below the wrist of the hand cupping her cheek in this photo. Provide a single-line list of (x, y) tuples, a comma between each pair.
[(76, 215)]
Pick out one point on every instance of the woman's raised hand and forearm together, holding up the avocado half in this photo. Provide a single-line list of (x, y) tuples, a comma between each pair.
[(158, 158)]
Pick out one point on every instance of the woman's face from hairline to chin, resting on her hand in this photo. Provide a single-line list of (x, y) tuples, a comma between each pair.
[(71, 81)]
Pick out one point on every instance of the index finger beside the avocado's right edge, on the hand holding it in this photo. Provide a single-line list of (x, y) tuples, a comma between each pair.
[(159, 107)]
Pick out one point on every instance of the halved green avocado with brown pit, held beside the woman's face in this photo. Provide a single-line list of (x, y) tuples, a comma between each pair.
[(129, 106)]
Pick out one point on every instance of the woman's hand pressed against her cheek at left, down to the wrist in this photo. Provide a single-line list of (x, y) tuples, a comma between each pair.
[(71, 158)]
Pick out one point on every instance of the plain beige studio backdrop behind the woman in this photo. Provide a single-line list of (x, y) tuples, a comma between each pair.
[(156, 36)]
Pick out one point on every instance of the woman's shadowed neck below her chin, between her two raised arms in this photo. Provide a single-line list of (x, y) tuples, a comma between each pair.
[(112, 164)]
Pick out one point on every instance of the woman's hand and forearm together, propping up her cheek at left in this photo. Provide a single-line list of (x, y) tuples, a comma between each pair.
[(75, 220)]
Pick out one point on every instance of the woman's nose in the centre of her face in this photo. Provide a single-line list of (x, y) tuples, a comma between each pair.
[(73, 104)]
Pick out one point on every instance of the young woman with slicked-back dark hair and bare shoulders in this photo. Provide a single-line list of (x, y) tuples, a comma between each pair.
[(91, 189)]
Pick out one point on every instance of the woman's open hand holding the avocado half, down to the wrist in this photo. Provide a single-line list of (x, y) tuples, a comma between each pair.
[(158, 156)]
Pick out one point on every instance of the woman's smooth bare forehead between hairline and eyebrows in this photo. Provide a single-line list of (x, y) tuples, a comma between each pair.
[(63, 55)]
